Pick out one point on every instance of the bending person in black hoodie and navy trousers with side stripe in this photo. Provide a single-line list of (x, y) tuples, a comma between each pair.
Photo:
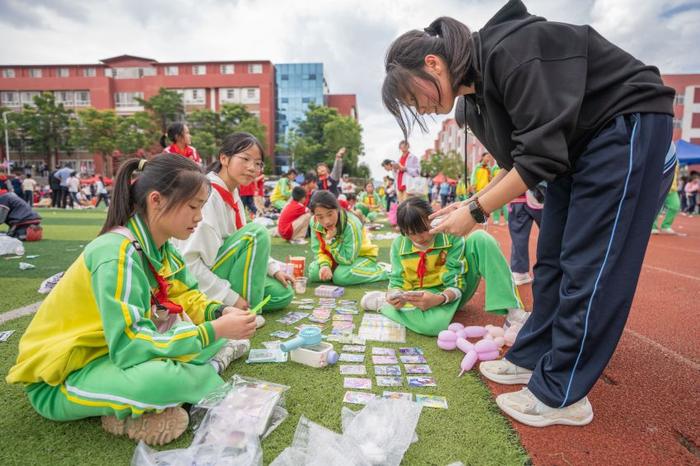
[(555, 102)]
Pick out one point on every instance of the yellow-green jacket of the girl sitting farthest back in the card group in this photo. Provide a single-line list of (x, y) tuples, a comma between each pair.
[(343, 249)]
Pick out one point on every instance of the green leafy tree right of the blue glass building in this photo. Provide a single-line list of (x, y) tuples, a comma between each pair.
[(319, 136)]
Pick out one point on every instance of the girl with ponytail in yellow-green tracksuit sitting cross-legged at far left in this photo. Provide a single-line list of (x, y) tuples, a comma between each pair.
[(126, 334)]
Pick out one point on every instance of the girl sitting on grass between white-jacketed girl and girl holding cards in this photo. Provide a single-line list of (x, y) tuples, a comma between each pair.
[(344, 253)]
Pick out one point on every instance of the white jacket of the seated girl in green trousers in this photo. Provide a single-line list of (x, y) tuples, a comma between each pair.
[(201, 249)]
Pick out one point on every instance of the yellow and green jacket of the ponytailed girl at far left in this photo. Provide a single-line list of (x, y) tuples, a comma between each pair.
[(103, 305)]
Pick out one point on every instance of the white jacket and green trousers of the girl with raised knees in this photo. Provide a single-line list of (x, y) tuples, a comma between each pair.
[(228, 262)]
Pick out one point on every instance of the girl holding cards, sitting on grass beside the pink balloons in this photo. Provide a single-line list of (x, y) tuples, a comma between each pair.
[(445, 270)]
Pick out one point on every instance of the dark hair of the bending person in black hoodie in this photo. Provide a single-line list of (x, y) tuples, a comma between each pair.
[(445, 37)]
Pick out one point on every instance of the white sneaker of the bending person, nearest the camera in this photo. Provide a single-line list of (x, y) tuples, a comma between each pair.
[(524, 407)]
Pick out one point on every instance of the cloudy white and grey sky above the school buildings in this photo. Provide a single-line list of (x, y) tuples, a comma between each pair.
[(349, 37)]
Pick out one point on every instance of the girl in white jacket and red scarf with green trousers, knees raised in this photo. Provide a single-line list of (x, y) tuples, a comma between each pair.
[(229, 257)]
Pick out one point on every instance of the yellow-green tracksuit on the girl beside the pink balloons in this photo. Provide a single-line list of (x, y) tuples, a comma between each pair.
[(451, 263)]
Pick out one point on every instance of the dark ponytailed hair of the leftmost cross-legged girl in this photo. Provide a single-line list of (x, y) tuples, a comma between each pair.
[(177, 179)]
